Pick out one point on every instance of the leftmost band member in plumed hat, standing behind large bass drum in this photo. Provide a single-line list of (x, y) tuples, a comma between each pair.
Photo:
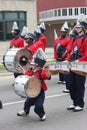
[(17, 41)]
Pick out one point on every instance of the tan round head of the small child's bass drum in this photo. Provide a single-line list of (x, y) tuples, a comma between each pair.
[(33, 87)]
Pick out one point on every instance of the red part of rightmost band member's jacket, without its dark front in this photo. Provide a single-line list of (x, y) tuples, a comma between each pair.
[(82, 46)]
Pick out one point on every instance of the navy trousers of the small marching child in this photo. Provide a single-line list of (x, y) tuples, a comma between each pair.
[(38, 102)]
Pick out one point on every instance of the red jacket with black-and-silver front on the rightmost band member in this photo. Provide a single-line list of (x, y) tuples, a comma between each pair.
[(78, 47)]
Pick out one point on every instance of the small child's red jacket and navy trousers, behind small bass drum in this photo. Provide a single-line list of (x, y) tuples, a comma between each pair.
[(39, 100)]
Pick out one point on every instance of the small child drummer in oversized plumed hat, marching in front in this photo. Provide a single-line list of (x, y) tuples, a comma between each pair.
[(41, 71)]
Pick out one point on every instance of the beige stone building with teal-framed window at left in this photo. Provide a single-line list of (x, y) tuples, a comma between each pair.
[(21, 11)]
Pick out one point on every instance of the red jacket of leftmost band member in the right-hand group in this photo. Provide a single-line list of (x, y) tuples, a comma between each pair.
[(64, 42)]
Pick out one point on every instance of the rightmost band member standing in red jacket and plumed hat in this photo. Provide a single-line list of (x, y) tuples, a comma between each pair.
[(78, 53)]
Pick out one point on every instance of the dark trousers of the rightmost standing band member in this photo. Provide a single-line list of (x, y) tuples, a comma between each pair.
[(77, 89)]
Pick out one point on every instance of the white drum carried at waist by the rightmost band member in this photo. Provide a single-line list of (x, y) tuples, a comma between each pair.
[(79, 68)]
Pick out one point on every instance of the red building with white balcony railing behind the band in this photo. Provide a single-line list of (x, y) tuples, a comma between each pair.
[(57, 12)]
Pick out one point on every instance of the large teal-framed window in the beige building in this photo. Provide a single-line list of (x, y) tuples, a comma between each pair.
[(7, 18)]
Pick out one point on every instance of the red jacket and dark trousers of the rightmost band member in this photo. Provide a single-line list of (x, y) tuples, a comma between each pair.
[(77, 88)]
